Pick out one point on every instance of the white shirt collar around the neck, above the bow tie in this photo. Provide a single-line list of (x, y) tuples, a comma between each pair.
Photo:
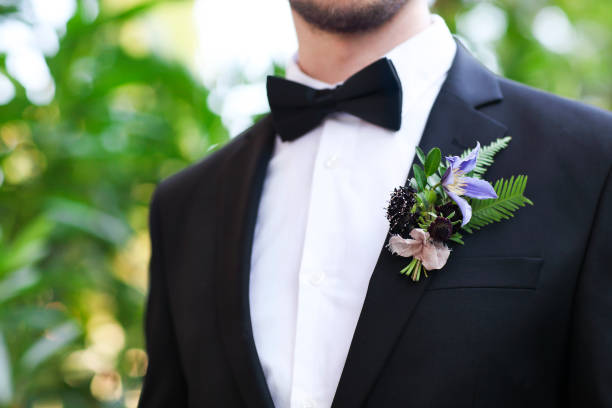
[(420, 61)]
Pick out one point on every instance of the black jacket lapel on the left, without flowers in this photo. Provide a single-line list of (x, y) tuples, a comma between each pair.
[(240, 186)]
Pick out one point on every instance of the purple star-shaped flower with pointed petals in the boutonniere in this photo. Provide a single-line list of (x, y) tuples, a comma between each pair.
[(456, 184)]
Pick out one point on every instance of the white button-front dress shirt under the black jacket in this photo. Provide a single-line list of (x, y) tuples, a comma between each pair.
[(321, 226)]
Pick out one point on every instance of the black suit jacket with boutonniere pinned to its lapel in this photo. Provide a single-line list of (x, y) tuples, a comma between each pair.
[(521, 316)]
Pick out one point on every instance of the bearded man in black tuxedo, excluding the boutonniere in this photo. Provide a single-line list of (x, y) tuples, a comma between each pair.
[(270, 281)]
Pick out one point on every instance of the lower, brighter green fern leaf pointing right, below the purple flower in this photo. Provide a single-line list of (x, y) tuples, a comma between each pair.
[(509, 199)]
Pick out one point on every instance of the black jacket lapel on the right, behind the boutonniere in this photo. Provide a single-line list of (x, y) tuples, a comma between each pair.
[(454, 124)]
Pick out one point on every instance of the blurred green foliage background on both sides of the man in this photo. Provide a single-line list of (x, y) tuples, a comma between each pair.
[(76, 177)]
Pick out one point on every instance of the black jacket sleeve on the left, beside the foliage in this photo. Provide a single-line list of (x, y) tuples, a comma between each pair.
[(164, 383)]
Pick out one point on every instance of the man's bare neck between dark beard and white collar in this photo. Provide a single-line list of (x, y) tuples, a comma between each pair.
[(333, 57)]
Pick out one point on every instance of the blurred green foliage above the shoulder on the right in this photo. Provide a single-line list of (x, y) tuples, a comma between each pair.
[(583, 71)]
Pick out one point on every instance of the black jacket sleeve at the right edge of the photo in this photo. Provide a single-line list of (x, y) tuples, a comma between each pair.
[(590, 368)]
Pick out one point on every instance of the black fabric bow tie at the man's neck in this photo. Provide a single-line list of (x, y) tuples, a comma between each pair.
[(374, 94)]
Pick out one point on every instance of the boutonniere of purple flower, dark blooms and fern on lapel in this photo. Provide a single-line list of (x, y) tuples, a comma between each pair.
[(444, 200)]
